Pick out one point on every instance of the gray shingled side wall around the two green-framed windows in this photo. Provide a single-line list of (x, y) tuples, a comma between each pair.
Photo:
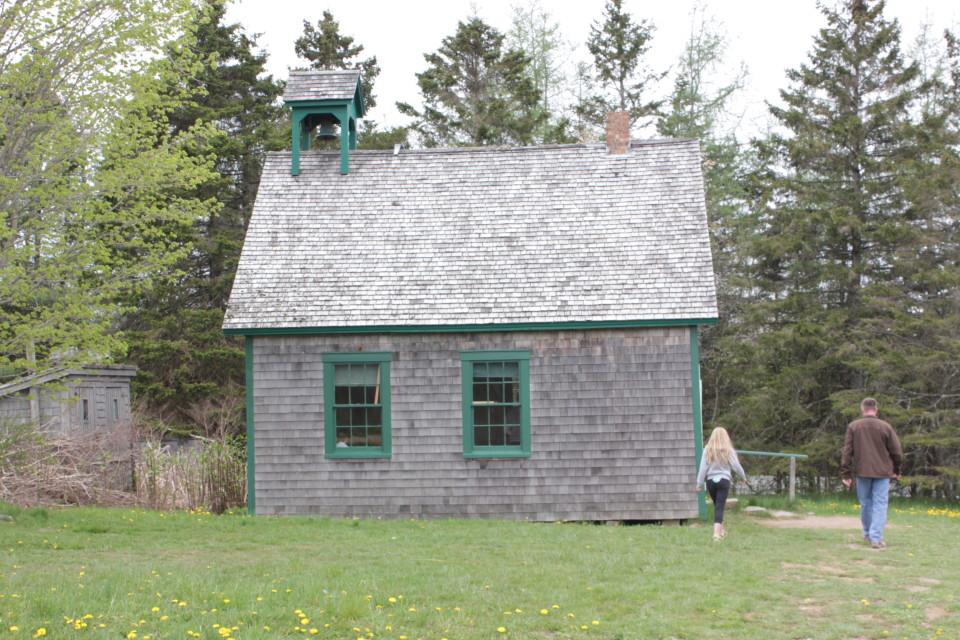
[(612, 430)]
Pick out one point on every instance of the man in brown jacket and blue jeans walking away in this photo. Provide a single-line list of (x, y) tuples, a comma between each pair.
[(872, 453)]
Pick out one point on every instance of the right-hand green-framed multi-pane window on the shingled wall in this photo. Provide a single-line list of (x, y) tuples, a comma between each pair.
[(510, 401)]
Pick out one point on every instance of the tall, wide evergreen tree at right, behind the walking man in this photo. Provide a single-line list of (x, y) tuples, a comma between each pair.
[(853, 285)]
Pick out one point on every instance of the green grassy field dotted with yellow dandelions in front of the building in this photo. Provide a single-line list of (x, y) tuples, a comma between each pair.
[(104, 573)]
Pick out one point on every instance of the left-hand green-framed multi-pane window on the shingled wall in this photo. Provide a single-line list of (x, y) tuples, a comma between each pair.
[(359, 378)]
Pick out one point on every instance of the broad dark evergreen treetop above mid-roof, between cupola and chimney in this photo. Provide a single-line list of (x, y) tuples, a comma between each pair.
[(476, 92)]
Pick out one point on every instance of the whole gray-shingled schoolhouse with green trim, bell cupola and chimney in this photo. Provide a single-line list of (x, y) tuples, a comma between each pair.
[(473, 332)]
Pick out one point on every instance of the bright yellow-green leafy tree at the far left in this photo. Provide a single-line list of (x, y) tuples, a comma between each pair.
[(92, 183)]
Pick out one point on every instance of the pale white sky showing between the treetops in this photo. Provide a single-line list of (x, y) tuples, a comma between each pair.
[(768, 35)]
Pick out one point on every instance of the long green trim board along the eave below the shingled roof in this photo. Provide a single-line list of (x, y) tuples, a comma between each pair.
[(473, 328)]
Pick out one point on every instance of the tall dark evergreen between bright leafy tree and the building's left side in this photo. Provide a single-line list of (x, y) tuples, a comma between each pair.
[(187, 366)]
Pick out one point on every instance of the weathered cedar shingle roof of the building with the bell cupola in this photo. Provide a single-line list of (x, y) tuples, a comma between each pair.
[(476, 236)]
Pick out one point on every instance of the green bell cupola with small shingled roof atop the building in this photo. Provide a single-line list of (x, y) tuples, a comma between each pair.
[(319, 100)]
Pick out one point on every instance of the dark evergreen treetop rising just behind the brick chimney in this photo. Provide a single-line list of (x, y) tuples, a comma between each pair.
[(618, 46)]
